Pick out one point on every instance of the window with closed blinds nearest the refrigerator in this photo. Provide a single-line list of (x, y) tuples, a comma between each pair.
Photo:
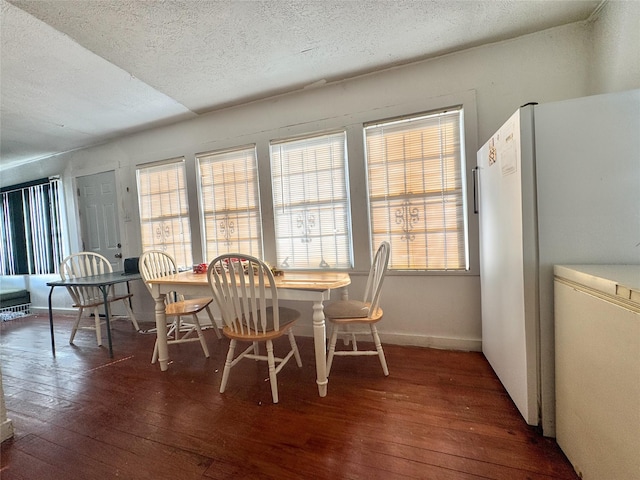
[(416, 190)]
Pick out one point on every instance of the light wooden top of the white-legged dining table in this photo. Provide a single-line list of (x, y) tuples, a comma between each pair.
[(316, 281)]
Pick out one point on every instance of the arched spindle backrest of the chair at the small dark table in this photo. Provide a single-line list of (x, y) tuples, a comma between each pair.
[(84, 264)]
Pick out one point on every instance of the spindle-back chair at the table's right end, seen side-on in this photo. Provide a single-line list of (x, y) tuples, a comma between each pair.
[(345, 315)]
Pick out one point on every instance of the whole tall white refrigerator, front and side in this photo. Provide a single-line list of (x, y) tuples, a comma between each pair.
[(558, 183)]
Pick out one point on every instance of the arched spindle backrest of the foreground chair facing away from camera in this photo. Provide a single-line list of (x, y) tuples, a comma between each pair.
[(244, 287)]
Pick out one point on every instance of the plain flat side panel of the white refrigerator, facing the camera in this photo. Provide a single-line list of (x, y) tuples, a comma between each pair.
[(588, 180)]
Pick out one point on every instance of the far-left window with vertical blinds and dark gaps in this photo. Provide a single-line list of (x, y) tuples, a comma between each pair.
[(32, 228)]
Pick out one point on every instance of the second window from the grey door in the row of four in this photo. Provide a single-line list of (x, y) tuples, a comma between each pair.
[(229, 202)]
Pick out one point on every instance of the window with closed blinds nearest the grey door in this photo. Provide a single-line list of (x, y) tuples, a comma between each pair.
[(164, 210)]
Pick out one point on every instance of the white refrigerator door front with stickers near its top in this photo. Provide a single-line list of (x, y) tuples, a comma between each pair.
[(504, 334)]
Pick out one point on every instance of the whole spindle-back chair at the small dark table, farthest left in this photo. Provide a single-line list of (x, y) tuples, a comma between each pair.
[(87, 264)]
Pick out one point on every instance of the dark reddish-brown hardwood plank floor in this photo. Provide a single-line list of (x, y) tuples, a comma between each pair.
[(83, 415)]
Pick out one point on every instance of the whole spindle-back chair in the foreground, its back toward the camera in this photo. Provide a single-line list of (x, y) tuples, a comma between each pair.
[(245, 291)]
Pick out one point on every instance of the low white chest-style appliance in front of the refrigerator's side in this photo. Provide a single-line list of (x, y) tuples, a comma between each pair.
[(597, 351)]
